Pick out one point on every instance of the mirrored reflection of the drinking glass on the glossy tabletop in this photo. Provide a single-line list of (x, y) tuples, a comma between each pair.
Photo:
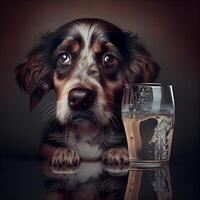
[(149, 184)]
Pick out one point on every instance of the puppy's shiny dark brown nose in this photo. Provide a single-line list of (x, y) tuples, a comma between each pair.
[(81, 98)]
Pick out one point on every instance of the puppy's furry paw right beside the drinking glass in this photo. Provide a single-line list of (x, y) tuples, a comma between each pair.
[(116, 156)]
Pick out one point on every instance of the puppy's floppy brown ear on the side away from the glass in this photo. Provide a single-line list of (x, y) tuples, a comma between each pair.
[(35, 76)]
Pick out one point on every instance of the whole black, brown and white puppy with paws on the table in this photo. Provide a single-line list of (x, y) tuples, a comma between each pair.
[(86, 62)]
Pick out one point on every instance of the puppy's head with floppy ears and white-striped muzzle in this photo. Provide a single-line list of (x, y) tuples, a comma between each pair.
[(86, 61)]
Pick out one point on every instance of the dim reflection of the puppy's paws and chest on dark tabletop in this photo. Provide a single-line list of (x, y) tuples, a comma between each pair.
[(91, 180)]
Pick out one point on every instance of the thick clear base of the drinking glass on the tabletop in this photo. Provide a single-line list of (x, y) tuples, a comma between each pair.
[(147, 163)]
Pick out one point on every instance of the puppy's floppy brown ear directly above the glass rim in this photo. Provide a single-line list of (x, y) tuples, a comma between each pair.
[(143, 68)]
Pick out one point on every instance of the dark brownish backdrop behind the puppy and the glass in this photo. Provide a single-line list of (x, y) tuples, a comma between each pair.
[(169, 29)]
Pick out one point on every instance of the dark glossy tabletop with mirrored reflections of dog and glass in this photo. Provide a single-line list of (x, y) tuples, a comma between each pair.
[(32, 179)]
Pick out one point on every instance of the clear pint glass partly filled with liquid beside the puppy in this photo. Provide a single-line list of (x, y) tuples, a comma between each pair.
[(148, 114)]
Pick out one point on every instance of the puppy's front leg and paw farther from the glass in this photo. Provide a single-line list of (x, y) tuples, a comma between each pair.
[(60, 156)]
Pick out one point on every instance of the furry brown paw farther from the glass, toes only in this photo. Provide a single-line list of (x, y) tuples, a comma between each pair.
[(64, 157)]
